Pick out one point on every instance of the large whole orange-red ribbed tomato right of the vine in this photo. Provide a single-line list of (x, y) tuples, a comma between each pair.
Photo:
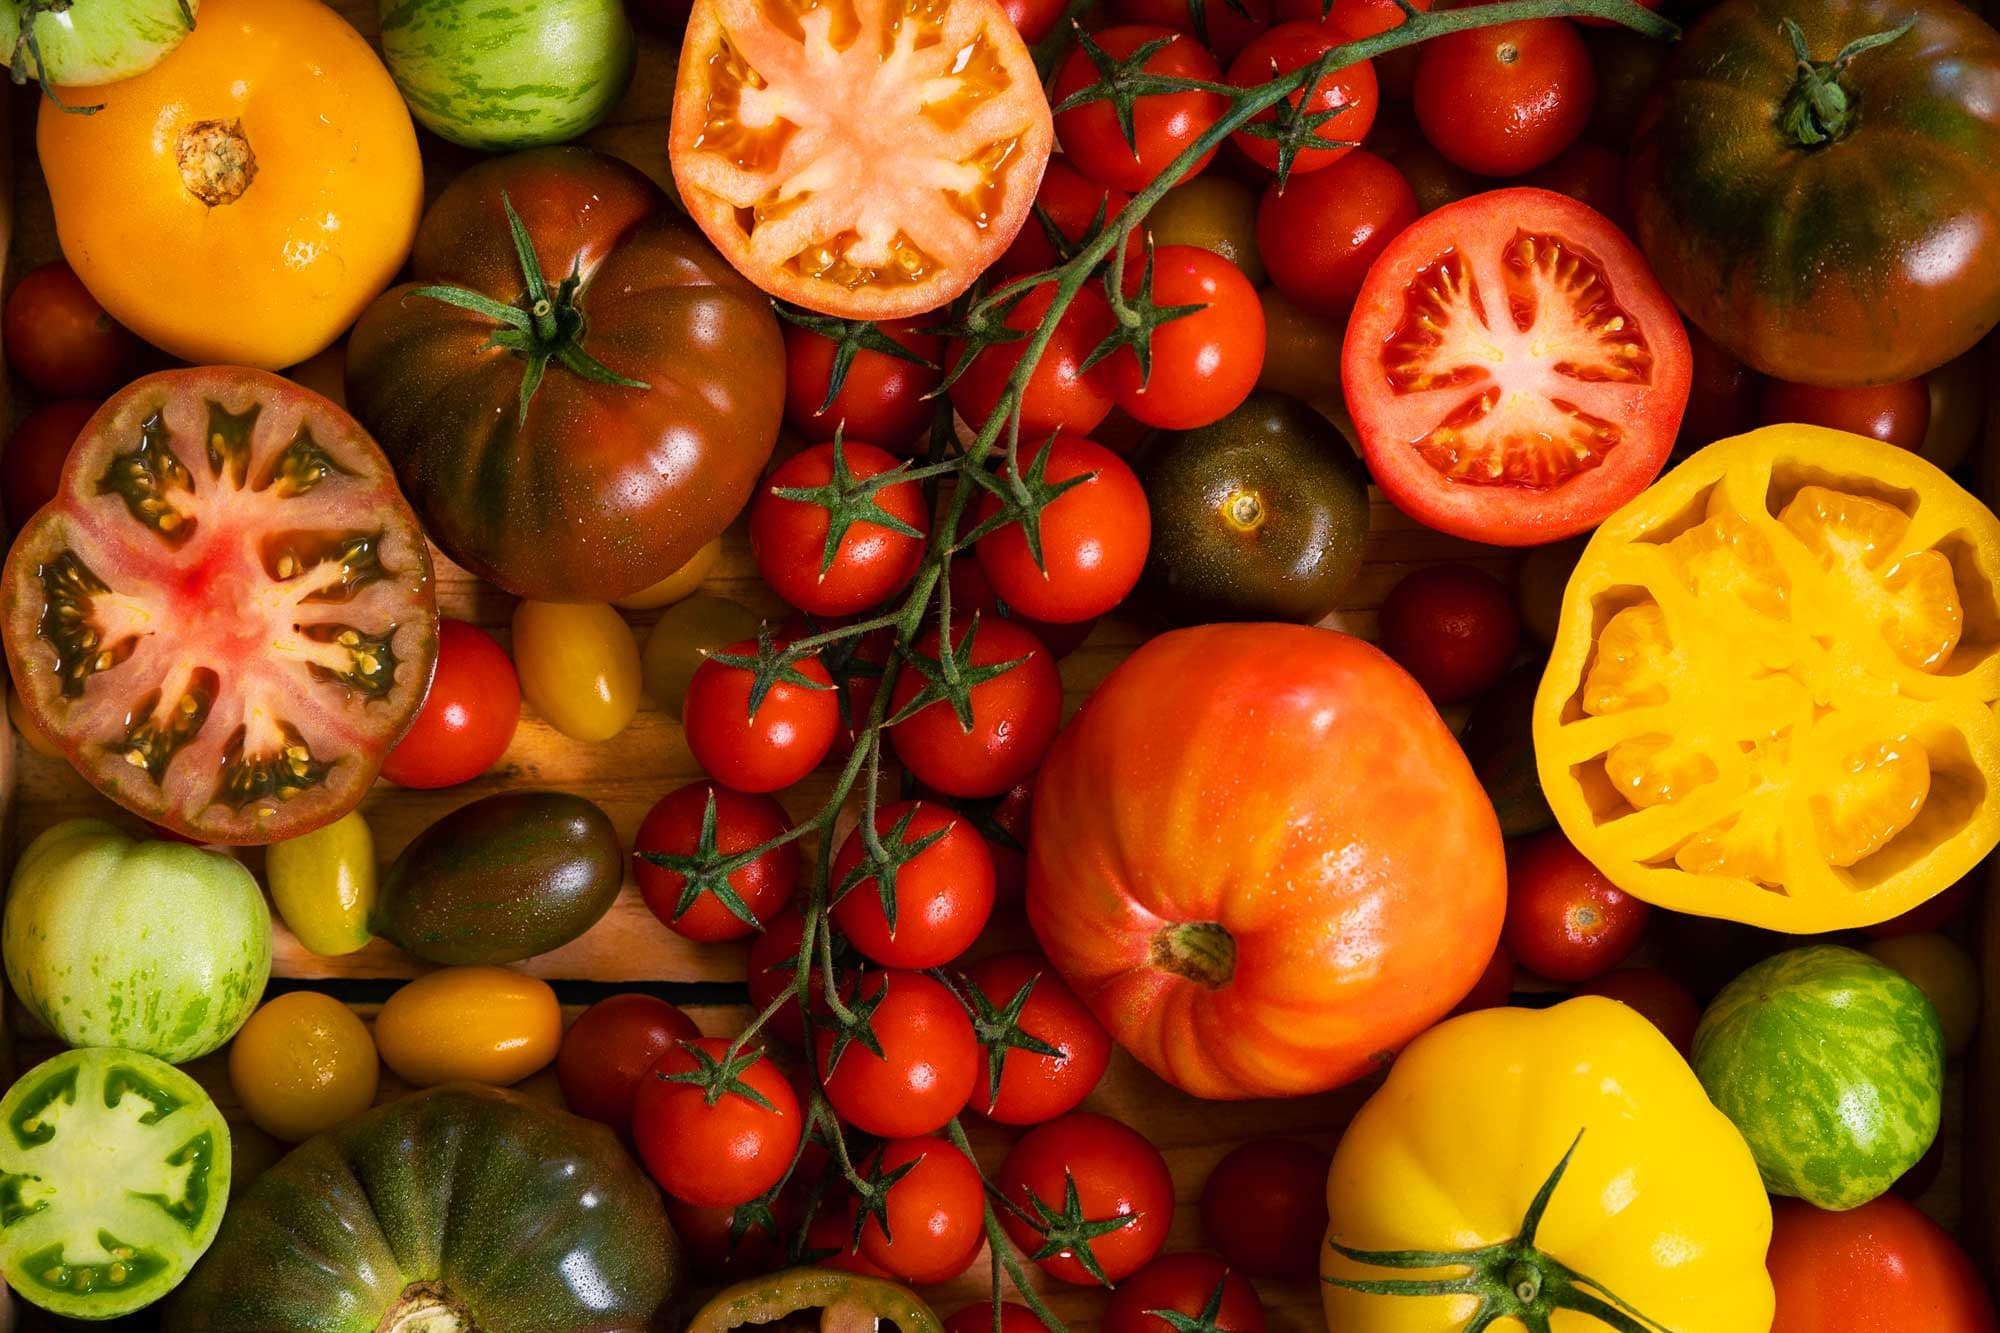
[(1263, 860)]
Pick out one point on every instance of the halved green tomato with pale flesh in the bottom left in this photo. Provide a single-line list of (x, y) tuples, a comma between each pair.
[(115, 1170)]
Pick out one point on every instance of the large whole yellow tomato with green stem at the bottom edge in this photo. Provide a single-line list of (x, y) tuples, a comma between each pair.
[(1553, 1170)]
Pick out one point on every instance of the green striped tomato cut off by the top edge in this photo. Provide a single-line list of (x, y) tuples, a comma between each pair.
[(501, 75)]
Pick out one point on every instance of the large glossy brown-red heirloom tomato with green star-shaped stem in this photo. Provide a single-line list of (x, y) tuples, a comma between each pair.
[(661, 391)]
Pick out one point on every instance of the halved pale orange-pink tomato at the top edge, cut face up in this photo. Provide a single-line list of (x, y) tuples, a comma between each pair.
[(859, 157)]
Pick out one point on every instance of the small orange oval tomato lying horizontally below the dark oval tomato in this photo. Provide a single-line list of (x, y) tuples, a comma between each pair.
[(469, 1026)]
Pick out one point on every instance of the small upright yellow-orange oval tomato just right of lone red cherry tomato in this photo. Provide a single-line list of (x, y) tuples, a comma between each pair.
[(579, 668)]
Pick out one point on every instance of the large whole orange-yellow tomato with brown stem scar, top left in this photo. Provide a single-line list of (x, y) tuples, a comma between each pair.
[(249, 195)]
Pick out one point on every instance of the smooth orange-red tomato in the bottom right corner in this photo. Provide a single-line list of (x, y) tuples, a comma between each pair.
[(1881, 1268)]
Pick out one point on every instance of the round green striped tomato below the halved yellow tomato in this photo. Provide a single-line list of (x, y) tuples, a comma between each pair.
[(1831, 1066)]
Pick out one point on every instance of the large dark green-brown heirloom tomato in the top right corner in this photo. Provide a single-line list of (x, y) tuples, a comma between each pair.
[(1837, 225)]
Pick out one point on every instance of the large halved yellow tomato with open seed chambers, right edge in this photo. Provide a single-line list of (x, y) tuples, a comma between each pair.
[(1771, 692)]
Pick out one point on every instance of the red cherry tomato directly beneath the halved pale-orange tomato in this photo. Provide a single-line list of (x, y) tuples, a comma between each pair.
[(881, 399)]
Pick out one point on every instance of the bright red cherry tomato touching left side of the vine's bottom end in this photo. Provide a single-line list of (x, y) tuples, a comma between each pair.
[(935, 1214)]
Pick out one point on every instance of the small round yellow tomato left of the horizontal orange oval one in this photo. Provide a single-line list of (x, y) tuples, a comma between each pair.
[(303, 1064)]
